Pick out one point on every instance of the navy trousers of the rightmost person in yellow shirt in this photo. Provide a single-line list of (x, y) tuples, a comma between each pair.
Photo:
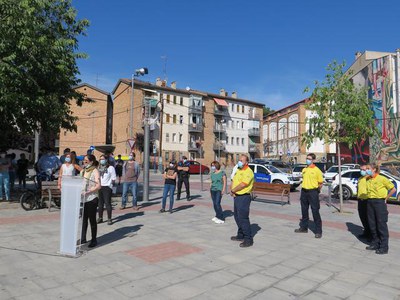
[(377, 219)]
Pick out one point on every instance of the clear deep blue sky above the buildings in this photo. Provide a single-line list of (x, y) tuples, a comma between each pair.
[(267, 51)]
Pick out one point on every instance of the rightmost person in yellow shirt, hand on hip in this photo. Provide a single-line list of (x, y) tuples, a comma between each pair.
[(378, 187)]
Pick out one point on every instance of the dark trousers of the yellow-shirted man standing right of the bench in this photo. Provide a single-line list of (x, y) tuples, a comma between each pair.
[(310, 198)]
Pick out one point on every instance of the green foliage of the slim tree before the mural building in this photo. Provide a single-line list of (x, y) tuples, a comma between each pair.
[(341, 110)]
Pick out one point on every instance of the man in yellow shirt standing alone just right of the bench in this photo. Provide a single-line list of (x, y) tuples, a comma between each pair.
[(310, 188)]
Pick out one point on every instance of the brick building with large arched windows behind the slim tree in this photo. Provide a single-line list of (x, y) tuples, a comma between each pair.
[(282, 132)]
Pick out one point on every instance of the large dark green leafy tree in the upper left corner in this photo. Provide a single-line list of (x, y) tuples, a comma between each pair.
[(38, 68)]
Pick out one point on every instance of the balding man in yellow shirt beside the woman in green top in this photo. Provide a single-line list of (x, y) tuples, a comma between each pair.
[(242, 186)]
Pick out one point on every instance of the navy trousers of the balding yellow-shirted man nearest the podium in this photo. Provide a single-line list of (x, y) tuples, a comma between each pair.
[(241, 210)]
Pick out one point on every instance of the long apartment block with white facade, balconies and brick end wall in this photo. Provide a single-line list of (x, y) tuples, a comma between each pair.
[(200, 125)]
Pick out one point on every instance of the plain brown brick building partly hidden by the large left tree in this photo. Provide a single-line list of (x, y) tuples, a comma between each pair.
[(94, 124)]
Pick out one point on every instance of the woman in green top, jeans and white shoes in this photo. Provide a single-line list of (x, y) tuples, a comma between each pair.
[(218, 186)]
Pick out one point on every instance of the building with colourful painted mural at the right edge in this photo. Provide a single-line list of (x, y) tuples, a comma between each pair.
[(380, 72)]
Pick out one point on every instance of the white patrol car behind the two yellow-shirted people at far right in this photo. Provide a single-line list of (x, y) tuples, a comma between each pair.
[(350, 183)]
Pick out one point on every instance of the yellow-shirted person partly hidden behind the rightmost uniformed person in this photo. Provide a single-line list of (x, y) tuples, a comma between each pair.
[(362, 195)]
